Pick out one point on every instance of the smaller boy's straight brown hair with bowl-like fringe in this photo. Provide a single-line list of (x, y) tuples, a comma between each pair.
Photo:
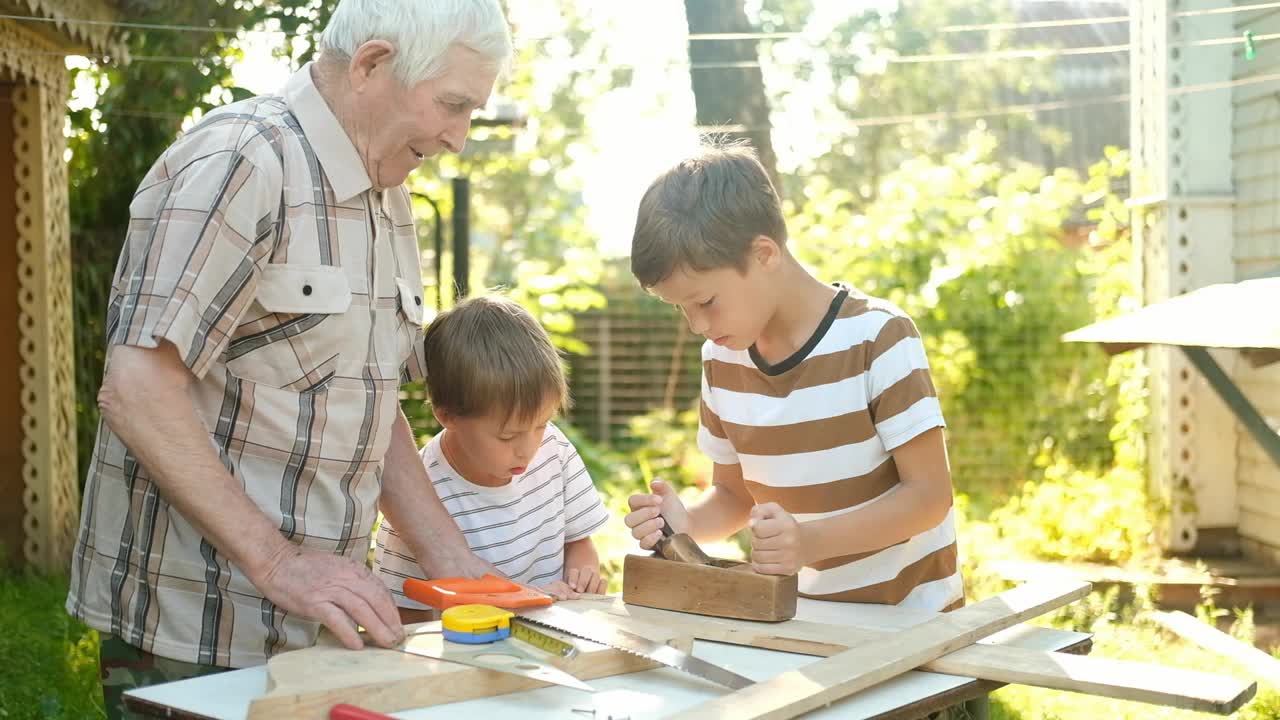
[(488, 356)]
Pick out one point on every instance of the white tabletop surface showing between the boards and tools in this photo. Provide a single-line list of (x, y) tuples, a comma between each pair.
[(641, 696)]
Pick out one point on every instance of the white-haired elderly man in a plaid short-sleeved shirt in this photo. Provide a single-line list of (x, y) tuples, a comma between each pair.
[(267, 308)]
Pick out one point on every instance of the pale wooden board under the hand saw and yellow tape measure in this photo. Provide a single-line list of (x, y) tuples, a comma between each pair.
[(304, 685)]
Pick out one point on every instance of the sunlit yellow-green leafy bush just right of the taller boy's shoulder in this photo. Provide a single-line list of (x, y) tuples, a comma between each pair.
[(975, 252)]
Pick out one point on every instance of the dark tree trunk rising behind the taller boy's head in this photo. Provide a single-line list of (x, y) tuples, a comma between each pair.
[(728, 95)]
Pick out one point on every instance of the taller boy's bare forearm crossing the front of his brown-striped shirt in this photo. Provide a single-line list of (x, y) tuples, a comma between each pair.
[(902, 514)]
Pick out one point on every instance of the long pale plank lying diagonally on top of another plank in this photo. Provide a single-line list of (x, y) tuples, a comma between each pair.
[(862, 667)]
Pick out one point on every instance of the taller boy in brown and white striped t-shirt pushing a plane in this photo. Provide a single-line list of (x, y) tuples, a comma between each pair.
[(817, 404)]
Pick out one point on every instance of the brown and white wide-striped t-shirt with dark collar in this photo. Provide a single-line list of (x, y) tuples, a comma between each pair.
[(815, 434)]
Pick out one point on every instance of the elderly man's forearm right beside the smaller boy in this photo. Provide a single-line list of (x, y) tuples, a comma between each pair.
[(415, 511)]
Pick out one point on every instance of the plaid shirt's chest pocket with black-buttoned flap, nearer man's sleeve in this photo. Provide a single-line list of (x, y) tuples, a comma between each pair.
[(299, 329)]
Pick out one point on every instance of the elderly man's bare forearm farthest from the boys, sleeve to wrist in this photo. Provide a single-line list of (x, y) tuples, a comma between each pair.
[(145, 402)]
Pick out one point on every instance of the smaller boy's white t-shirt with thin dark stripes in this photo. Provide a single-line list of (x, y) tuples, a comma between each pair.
[(522, 528)]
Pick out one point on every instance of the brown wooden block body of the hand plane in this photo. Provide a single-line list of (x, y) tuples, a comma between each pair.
[(723, 590)]
